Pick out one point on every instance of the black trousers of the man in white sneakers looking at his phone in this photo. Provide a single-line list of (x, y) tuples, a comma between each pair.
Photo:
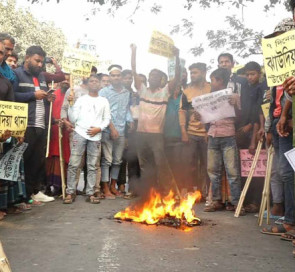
[(34, 159)]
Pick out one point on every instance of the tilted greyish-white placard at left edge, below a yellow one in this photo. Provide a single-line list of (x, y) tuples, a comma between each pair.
[(9, 164)]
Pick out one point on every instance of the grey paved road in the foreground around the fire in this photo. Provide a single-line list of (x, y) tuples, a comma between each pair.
[(83, 237)]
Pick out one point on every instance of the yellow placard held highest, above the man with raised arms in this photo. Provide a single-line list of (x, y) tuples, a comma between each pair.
[(161, 45)]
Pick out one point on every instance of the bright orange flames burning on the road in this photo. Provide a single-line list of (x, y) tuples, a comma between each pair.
[(157, 208)]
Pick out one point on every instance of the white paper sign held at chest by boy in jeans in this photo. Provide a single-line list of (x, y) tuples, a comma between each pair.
[(214, 106)]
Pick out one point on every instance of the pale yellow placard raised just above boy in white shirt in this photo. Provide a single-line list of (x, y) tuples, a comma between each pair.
[(77, 62)]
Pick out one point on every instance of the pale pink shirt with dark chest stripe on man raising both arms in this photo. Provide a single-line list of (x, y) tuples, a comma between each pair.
[(152, 109)]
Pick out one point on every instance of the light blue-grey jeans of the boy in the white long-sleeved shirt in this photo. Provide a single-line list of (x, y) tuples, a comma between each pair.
[(78, 146)]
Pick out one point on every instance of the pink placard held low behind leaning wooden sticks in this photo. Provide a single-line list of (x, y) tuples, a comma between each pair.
[(247, 160)]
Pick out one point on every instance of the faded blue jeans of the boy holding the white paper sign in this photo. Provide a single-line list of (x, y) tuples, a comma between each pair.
[(224, 151)]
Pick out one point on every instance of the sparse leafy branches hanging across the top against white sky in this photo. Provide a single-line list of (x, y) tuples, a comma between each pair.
[(238, 38)]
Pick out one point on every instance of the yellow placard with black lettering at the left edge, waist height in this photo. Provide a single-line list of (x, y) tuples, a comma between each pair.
[(13, 117)]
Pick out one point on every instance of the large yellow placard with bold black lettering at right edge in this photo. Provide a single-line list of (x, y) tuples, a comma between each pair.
[(279, 58)]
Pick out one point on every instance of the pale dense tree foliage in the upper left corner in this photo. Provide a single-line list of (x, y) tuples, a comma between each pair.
[(27, 30)]
